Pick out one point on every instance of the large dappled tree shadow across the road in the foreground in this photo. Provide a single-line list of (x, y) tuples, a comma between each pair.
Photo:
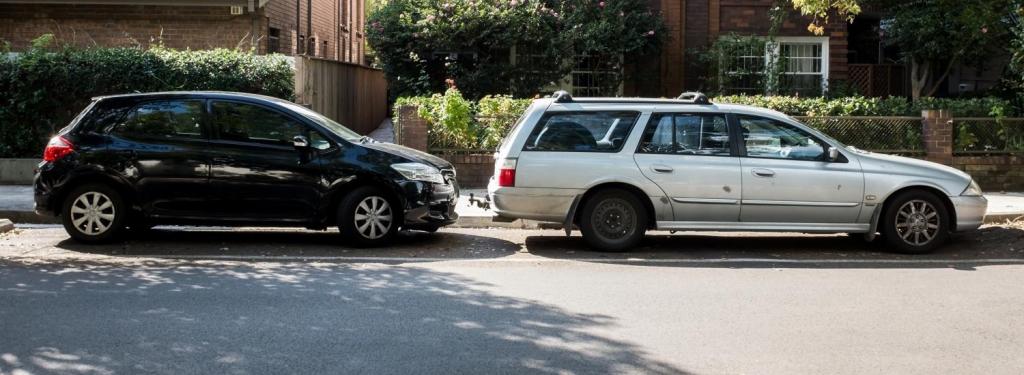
[(297, 318)]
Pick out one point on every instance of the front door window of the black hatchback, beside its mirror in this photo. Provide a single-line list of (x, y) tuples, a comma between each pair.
[(254, 124)]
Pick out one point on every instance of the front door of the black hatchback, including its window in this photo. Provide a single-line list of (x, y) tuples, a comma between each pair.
[(255, 171)]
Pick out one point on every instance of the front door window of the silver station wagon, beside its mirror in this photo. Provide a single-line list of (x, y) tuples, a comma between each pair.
[(776, 140)]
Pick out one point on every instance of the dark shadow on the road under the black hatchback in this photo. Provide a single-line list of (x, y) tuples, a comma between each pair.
[(172, 242)]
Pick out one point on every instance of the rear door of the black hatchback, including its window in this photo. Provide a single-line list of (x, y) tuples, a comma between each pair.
[(161, 147)]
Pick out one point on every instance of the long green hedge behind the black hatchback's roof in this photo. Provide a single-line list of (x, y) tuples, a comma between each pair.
[(44, 89)]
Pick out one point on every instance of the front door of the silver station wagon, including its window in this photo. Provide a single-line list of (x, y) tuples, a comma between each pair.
[(788, 178)]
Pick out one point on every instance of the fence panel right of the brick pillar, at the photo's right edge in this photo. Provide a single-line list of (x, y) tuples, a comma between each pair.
[(974, 136)]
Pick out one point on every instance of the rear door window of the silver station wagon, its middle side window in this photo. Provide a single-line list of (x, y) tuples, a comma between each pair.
[(687, 135)]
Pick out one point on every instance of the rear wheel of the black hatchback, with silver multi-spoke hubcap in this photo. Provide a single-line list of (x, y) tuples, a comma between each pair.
[(90, 220)]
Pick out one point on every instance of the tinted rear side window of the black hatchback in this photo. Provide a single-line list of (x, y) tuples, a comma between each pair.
[(163, 119)]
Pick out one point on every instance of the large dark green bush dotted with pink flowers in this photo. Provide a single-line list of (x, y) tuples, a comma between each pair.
[(420, 44)]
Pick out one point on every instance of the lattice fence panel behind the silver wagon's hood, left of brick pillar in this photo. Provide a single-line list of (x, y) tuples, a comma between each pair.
[(882, 135)]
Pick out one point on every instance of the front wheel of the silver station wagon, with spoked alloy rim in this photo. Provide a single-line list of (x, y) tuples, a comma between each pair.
[(910, 227)]
